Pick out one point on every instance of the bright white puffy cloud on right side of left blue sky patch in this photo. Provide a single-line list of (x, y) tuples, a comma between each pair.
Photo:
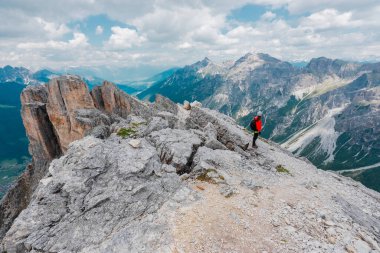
[(122, 38)]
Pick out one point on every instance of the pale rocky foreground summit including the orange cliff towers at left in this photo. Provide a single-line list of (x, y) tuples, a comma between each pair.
[(111, 173)]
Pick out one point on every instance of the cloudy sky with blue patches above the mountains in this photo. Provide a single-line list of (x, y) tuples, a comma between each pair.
[(157, 34)]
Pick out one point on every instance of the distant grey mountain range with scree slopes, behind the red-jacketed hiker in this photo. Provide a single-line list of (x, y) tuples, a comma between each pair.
[(327, 111)]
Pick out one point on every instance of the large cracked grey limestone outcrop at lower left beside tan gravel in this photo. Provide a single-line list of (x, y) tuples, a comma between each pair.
[(86, 205)]
